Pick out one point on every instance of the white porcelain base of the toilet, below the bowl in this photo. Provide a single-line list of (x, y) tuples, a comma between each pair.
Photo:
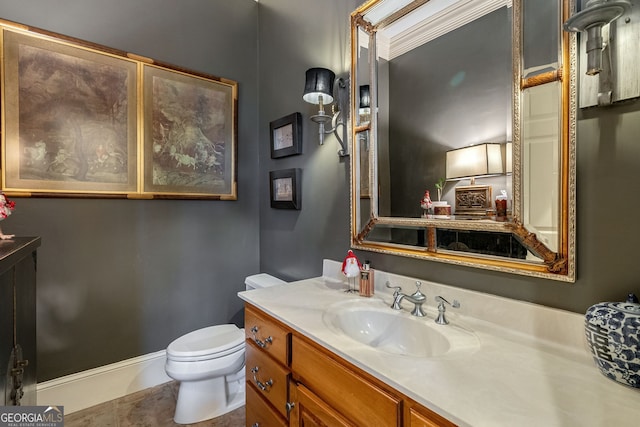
[(201, 400)]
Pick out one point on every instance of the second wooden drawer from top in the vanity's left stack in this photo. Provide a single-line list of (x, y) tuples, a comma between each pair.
[(270, 379)]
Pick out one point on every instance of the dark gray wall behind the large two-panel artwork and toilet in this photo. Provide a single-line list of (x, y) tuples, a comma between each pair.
[(121, 278)]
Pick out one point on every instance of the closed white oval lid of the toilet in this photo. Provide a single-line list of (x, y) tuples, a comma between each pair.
[(207, 341)]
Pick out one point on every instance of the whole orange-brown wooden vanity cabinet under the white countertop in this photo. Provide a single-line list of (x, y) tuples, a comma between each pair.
[(300, 383)]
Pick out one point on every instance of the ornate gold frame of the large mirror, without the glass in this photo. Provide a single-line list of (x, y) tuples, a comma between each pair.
[(556, 265)]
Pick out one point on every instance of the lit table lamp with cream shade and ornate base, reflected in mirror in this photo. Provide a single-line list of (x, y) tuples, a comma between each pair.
[(470, 163)]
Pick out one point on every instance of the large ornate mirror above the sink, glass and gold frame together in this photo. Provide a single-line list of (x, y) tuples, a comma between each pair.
[(463, 133)]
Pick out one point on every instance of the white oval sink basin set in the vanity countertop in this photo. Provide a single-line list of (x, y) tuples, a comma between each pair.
[(374, 323)]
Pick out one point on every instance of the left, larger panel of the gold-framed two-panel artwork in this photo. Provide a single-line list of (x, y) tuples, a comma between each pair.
[(70, 118)]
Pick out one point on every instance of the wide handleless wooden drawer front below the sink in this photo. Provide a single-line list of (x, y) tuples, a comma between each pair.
[(350, 394)]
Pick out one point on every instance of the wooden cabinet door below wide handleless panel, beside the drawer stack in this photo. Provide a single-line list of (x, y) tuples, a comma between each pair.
[(310, 411)]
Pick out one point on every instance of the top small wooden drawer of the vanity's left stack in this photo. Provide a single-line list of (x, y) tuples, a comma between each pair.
[(267, 335)]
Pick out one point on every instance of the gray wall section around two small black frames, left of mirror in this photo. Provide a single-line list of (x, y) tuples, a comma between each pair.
[(294, 36)]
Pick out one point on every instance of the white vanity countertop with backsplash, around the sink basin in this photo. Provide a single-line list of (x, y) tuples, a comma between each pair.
[(533, 376)]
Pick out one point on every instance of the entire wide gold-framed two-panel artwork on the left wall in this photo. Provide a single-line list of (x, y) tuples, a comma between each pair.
[(83, 120)]
